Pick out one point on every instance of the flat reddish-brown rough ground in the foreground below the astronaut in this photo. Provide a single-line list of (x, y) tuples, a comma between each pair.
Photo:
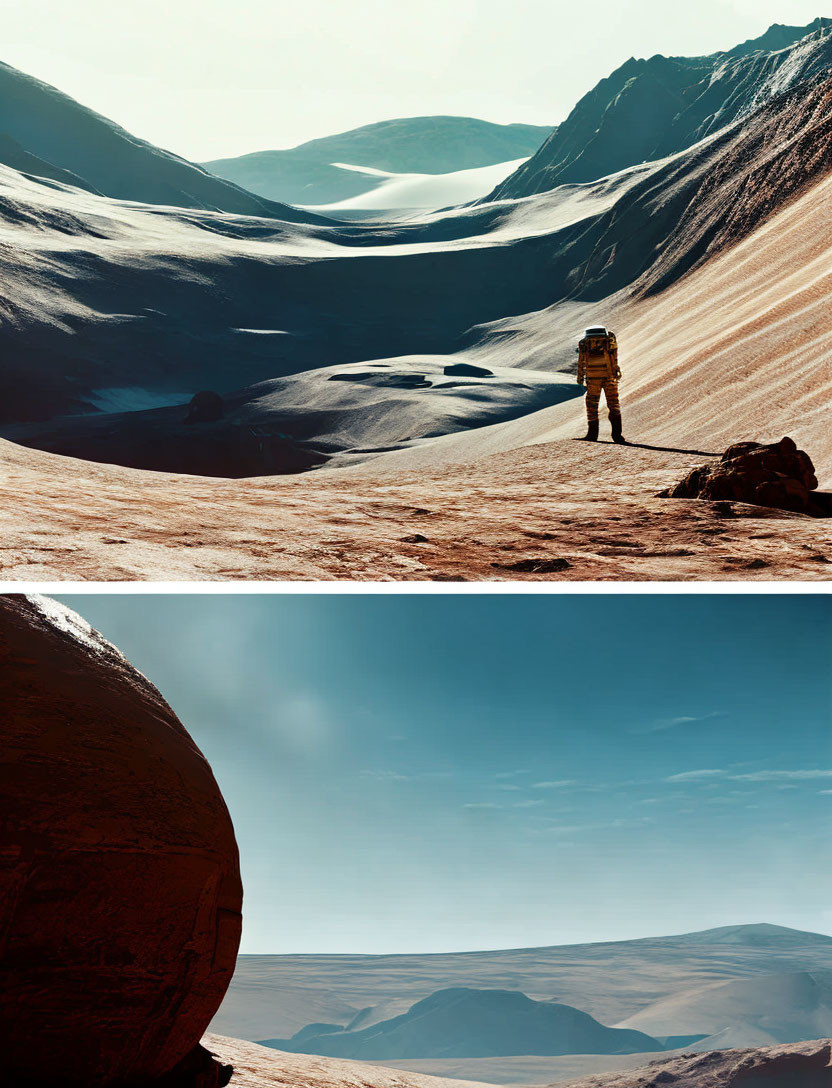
[(561, 510)]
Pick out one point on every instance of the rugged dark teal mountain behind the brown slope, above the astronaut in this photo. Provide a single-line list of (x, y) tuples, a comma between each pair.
[(650, 109)]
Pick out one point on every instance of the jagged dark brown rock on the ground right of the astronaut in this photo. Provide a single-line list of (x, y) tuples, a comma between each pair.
[(778, 475)]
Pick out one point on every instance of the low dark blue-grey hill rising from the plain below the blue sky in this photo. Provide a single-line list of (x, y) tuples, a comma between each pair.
[(467, 1023)]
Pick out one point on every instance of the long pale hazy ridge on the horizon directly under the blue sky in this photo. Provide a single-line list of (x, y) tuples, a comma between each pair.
[(277, 996)]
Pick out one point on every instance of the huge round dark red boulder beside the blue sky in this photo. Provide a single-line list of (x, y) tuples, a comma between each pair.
[(120, 888)]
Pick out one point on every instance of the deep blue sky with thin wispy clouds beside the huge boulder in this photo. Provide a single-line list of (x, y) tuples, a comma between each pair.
[(430, 773)]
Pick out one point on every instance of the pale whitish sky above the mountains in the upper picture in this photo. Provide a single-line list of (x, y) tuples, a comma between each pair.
[(217, 78)]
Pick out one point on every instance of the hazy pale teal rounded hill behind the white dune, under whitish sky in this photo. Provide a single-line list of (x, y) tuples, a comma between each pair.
[(307, 175)]
